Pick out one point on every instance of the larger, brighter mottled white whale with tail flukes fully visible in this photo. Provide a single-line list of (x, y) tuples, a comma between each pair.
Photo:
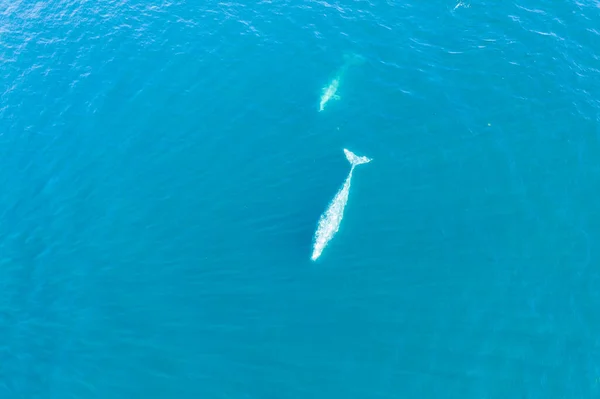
[(330, 220)]
